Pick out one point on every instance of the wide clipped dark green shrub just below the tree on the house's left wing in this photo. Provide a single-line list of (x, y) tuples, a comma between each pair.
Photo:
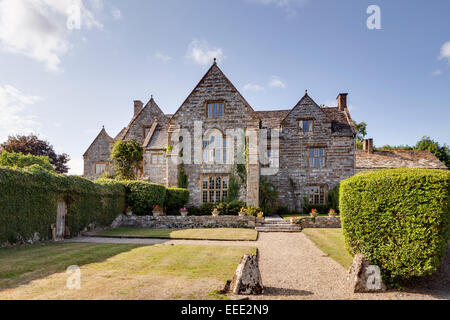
[(142, 196)]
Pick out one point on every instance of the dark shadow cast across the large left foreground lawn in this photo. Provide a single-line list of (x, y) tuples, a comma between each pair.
[(19, 265)]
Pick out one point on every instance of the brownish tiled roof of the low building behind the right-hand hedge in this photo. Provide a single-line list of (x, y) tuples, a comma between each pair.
[(381, 159)]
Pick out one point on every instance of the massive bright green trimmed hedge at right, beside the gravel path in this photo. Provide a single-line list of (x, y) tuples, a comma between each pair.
[(397, 218)]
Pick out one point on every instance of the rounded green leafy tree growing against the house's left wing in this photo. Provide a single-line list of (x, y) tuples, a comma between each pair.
[(127, 157)]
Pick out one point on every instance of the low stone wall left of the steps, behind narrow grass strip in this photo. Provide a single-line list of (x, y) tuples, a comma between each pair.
[(178, 222)]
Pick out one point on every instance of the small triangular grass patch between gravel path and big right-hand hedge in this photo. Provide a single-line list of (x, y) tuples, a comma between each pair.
[(330, 241)]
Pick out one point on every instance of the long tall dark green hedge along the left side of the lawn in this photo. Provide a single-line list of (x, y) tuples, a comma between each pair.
[(28, 202)]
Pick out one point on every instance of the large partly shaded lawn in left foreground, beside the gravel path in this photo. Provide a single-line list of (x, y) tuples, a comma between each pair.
[(113, 271)]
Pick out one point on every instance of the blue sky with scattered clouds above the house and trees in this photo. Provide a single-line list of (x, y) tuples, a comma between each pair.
[(66, 83)]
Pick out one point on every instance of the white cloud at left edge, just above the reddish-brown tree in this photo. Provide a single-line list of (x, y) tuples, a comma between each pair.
[(14, 114)]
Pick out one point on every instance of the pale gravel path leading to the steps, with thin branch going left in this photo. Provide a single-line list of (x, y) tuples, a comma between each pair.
[(292, 267)]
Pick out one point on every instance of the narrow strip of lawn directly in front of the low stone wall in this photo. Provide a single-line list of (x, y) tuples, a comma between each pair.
[(206, 234)]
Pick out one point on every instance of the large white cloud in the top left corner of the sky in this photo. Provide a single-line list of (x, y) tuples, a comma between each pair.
[(40, 28)]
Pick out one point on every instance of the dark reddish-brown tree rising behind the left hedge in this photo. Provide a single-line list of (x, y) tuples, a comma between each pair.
[(31, 144)]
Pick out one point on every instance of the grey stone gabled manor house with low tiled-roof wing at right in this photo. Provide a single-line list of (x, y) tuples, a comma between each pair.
[(304, 151)]
